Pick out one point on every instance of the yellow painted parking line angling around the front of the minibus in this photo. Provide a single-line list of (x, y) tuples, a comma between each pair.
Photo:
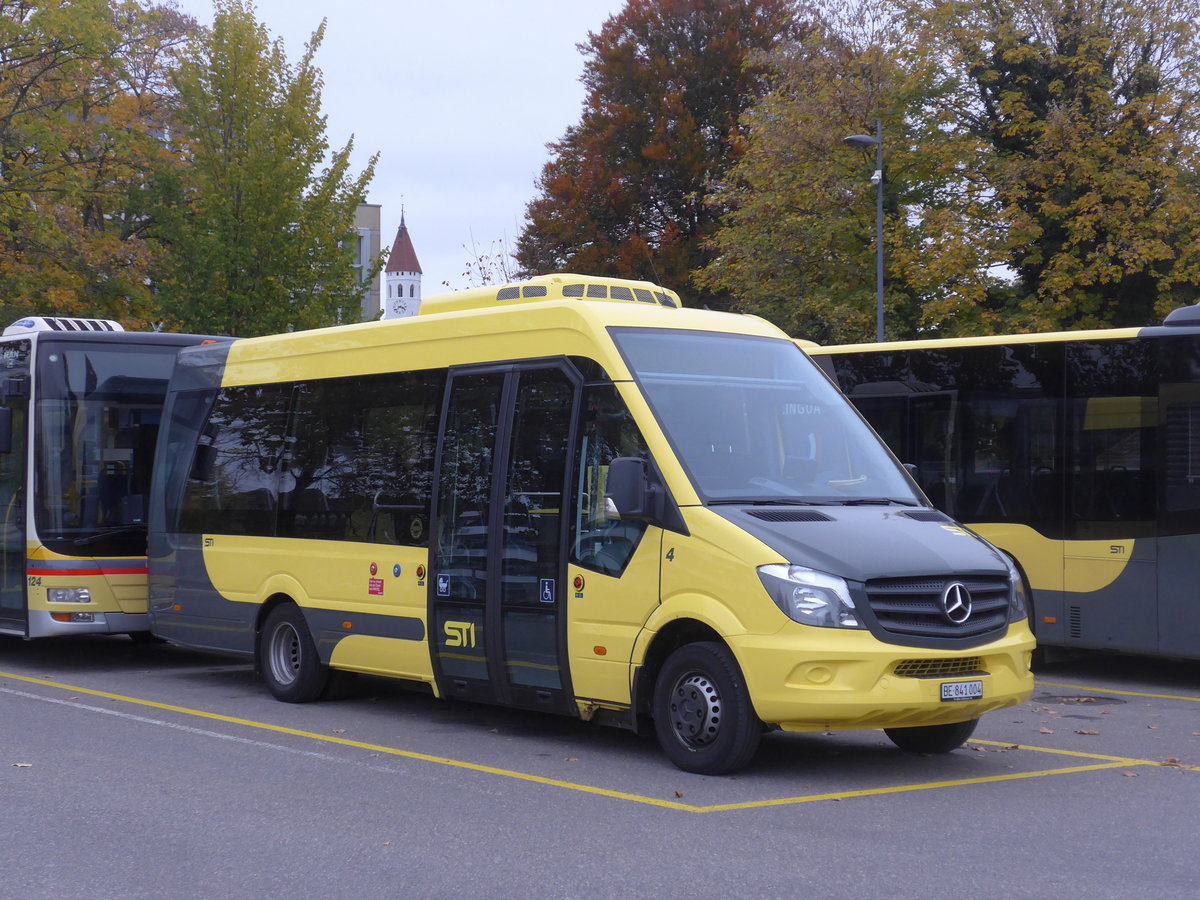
[(1107, 763)]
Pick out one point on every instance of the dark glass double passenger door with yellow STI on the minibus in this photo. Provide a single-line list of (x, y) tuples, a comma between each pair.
[(497, 587)]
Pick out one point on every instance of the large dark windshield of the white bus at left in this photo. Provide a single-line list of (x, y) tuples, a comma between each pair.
[(99, 409)]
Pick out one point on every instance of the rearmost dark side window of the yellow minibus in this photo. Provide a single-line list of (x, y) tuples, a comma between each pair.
[(235, 481)]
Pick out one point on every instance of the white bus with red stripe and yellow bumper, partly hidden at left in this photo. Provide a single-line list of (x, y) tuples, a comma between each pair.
[(81, 401)]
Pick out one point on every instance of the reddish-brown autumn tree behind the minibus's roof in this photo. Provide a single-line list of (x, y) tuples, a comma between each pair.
[(627, 189)]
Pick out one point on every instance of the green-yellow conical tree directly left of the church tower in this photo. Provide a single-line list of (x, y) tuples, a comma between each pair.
[(261, 220)]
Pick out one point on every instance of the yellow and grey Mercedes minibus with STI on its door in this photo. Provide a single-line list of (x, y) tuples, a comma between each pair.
[(577, 496)]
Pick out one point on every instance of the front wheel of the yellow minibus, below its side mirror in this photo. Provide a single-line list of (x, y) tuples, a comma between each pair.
[(703, 713)]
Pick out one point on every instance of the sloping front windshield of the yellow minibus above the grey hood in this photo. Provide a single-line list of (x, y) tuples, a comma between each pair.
[(754, 421)]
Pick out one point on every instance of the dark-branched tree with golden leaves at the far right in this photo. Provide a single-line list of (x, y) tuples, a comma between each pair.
[(1089, 112)]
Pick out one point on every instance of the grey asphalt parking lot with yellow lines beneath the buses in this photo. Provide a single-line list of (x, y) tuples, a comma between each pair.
[(151, 771)]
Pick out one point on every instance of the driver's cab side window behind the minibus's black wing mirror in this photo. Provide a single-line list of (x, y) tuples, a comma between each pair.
[(602, 542)]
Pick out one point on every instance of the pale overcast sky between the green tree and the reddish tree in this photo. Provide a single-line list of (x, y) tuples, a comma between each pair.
[(460, 99)]
